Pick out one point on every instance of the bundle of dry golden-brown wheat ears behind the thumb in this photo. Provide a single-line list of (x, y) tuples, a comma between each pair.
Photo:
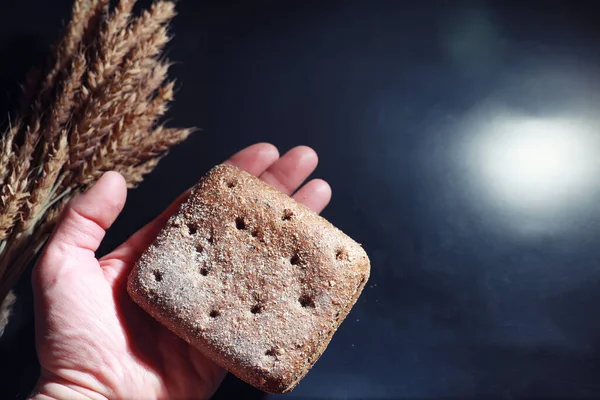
[(95, 107)]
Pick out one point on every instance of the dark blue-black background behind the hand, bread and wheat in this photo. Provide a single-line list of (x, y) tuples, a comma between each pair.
[(480, 287)]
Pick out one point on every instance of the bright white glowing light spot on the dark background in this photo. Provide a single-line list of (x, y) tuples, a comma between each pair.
[(538, 165)]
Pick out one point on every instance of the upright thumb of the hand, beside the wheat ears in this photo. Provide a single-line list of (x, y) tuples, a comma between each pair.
[(82, 226)]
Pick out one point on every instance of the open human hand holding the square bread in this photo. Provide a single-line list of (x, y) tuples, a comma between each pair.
[(92, 340)]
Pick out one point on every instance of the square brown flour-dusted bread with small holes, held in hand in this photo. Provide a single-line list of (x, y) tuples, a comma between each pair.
[(254, 280)]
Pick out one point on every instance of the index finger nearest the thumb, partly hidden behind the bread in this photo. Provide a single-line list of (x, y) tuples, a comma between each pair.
[(254, 160)]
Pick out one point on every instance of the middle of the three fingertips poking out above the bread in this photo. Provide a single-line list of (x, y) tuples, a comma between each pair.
[(288, 173)]
